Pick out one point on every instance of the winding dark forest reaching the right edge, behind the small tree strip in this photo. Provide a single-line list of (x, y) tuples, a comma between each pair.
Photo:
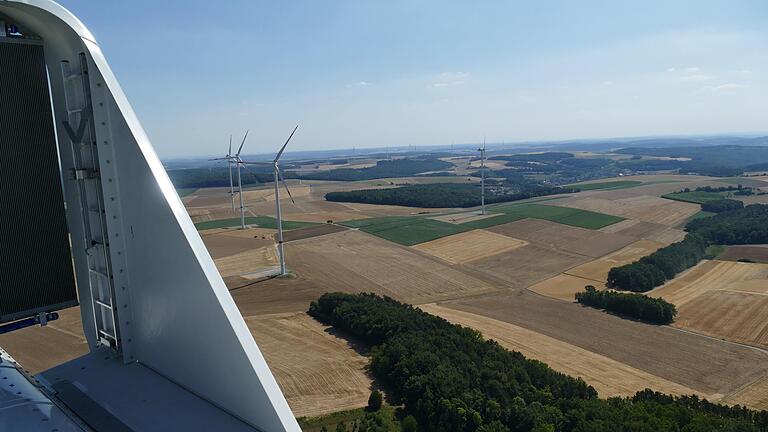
[(747, 225)]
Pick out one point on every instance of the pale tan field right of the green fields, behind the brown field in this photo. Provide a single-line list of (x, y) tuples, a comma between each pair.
[(644, 208)]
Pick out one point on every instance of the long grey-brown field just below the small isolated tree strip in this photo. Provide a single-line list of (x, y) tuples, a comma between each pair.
[(703, 364)]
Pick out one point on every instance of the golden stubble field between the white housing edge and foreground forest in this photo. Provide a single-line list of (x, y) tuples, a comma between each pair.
[(318, 372)]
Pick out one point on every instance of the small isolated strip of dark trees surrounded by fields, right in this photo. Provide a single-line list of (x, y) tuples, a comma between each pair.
[(638, 306)]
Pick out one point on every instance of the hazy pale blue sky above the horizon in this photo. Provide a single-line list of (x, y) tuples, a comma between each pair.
[(401, 72)]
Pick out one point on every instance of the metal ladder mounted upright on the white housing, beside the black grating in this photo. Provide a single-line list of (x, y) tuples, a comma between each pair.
[(81, 129)]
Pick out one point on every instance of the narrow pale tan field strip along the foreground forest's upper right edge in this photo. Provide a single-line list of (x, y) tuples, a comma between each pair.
[(609, 377)]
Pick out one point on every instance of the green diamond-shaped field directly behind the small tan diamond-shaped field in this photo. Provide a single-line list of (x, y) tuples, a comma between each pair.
[(406, 230)]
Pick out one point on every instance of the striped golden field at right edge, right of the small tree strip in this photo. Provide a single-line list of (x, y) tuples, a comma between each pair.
[(723, 299)]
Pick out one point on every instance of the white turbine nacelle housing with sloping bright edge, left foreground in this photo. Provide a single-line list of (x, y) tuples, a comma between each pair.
[(176, 354)]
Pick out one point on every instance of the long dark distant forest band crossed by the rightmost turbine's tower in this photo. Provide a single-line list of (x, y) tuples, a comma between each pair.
[(438, 195)]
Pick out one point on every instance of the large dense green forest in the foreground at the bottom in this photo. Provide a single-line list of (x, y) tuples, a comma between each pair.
[(450, 379)]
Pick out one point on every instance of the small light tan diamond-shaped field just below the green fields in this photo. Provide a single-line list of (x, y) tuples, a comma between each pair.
[(470, 246)]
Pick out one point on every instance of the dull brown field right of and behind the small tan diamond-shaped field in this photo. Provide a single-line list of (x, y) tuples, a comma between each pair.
[(556, 236)]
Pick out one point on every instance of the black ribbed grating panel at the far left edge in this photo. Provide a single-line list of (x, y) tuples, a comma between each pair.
[(36, 271)]
